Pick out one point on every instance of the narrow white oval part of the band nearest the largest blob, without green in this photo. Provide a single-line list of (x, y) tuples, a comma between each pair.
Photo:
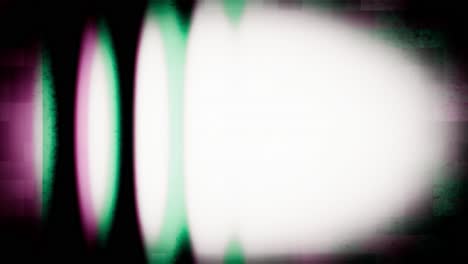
[(151, 131)]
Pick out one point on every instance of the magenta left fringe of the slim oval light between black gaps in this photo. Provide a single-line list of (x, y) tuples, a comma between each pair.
[(88, 47)]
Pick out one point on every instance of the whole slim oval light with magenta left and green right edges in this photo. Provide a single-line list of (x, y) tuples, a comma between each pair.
[(97, 132)]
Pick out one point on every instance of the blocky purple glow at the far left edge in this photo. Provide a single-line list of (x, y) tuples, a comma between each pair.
[(19, 196)]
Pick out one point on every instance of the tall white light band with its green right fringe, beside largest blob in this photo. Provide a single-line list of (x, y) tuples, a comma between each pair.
[(158, 133)]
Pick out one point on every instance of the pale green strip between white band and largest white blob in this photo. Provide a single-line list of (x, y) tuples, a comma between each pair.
[(174, 230)]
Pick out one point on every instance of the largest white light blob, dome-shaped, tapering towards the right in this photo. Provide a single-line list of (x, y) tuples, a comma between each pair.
[(301, 133)]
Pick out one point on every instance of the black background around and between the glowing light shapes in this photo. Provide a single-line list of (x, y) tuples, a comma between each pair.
[(59, 26)]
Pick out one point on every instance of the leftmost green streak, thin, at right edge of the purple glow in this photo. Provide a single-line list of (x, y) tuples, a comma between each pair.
[(49, 135)]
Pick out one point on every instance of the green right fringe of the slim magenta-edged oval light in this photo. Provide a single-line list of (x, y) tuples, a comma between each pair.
[(105, 217)]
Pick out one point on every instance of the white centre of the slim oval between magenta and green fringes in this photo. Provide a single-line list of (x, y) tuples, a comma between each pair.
[(100, 132)]
